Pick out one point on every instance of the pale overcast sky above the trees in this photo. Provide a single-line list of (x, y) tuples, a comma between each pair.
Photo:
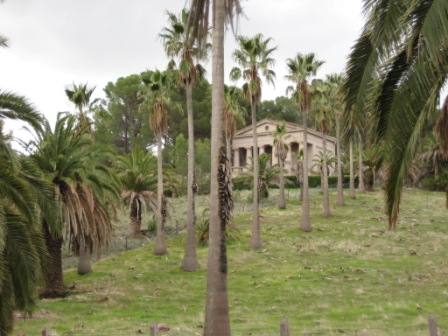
[(53, 43)]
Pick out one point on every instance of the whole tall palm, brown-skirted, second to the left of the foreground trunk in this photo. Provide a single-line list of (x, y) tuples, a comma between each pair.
[(156, 102)]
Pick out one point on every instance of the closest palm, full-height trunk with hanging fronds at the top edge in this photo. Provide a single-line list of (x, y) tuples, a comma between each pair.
[(216, 307)]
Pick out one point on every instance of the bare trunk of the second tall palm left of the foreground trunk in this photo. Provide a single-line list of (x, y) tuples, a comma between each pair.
[(160, 247)]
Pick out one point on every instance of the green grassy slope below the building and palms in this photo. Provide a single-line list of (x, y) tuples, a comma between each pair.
[(348, 276)]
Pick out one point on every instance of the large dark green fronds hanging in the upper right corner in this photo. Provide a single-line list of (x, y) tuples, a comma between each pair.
[(396, 70)]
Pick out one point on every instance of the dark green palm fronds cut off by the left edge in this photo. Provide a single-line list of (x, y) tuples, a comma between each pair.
[(24, 196)]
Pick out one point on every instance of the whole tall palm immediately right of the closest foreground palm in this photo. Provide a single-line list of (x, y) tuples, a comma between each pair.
[(255, 57)]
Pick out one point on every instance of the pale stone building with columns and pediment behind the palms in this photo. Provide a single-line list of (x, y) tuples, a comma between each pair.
[(242, 145)]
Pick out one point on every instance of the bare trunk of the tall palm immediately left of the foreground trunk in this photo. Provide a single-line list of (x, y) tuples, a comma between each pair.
[(190, 261)]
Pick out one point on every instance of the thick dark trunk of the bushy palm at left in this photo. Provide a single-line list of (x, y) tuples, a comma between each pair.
[(54, 281)]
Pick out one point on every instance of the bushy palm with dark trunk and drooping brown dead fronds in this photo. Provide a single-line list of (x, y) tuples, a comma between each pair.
[(84, 189)]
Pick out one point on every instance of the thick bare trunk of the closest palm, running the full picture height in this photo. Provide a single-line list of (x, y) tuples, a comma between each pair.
[(217, 320)]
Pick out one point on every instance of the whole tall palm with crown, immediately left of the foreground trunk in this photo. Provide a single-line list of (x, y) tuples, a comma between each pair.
[(178, 43)]
